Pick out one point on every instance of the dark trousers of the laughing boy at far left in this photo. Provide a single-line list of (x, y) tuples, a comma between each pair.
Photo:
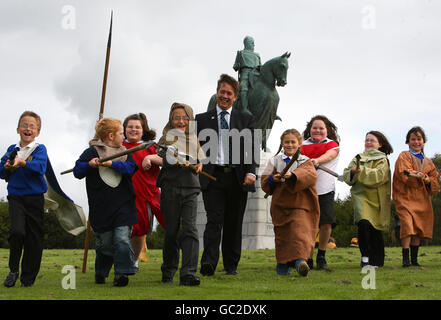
[(26, 213)]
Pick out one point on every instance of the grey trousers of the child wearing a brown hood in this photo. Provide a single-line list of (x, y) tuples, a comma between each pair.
[(179, 208)]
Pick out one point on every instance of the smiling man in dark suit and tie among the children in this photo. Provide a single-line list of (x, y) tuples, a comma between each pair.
[(232, 163)]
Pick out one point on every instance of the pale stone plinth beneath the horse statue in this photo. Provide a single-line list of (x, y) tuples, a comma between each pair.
[(257, 228)]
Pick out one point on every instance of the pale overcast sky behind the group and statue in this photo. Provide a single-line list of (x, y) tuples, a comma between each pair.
[(367, 65)]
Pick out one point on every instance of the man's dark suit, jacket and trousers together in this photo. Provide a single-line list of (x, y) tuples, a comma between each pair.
[(225, 199)]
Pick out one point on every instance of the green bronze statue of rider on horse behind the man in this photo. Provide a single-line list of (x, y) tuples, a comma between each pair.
[(257, 93)]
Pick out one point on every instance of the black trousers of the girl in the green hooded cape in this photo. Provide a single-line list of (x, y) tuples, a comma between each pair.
[(370, 243)]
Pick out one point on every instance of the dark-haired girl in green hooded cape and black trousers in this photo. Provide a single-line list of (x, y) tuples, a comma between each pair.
[(369, 176)]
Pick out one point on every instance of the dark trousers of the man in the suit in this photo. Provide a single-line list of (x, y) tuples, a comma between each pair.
[(225, 204)]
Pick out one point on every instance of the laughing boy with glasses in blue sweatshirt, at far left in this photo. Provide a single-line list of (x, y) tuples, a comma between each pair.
[(26, 188)]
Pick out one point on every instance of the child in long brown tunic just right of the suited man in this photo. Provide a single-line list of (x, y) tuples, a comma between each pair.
[(294, 209)]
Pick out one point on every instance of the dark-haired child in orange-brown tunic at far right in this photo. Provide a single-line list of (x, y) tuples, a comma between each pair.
[(411, 194)]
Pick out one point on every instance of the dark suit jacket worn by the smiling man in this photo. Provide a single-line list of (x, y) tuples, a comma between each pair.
[(239, 121)]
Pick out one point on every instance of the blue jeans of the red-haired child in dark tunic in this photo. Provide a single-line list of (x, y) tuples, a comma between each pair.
[(113, 248)]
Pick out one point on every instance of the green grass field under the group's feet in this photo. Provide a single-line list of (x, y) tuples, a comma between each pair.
[(257, 279)]
